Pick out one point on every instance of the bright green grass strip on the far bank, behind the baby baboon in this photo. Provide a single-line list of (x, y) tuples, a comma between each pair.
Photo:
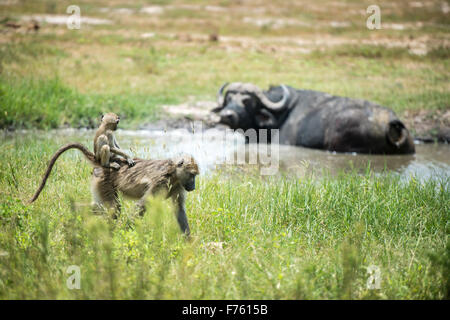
[(44, 104)]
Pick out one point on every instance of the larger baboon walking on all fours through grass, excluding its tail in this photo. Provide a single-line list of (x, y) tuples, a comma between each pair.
[(148, 177)]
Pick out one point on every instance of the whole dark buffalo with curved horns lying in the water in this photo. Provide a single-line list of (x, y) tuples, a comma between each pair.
[(314, 119)]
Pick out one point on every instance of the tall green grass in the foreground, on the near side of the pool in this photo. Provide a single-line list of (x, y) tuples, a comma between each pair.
[(309, 239)]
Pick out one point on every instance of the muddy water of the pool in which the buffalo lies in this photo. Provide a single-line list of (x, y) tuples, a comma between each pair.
[(214, 149)]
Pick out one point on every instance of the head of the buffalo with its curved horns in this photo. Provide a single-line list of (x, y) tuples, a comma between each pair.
[(245, 106)]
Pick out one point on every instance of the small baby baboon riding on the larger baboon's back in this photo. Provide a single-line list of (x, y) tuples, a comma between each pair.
[(105, 144)]
